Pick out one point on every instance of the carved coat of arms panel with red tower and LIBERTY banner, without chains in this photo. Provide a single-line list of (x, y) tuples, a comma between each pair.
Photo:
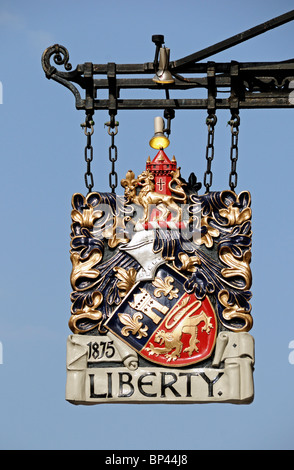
[(161, 288)]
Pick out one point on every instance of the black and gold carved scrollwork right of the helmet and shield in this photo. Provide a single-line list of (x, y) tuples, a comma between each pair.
[(217, 261)]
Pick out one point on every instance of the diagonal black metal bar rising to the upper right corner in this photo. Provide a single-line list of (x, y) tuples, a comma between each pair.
[(234, 40)]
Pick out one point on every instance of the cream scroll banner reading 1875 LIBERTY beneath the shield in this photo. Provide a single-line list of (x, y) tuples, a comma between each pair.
[(103, 369)]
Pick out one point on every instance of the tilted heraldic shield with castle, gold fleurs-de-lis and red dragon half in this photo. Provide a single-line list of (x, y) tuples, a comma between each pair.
[(165, 324)]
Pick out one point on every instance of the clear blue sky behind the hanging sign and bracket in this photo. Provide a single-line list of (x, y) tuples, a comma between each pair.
[(42, 165)]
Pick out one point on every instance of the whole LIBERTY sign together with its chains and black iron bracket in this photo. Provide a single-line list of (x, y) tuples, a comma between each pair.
[(161, 278)]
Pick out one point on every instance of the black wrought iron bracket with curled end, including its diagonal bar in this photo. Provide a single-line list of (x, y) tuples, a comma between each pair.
[(230, 85)]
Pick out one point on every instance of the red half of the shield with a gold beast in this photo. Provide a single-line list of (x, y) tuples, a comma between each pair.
[(187, 334)]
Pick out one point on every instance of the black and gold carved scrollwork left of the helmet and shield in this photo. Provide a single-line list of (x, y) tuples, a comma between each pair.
[(101, 275)]
